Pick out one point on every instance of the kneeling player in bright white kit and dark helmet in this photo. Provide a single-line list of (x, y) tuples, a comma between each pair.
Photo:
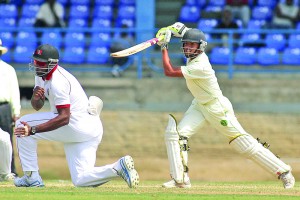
[(73, 120)]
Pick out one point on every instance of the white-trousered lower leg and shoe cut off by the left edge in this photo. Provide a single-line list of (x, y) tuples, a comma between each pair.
[(5, 157)]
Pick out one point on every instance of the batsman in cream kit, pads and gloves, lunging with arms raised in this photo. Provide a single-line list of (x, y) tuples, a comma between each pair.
[(209, 105)]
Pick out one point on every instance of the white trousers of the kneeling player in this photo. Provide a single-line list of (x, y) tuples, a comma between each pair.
[(80, 150)]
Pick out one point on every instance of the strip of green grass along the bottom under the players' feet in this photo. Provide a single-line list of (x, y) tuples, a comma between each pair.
[(117, 189)]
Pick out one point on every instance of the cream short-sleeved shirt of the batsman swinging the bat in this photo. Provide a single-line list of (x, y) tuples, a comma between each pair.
[(201, 79)]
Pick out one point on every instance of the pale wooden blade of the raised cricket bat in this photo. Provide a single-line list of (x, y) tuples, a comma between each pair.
[(135, 49)]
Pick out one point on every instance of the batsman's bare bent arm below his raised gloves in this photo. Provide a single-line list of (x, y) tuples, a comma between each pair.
[(169, 69)]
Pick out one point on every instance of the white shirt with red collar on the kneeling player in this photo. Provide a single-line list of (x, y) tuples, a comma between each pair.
[(62, 89)]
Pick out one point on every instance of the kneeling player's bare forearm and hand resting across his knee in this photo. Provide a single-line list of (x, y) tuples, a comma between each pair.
[(60, 120)]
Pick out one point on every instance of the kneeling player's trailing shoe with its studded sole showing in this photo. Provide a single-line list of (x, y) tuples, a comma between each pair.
[(127, 171)]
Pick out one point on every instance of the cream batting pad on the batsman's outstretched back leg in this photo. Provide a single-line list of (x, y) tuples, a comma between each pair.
[(251, 148)]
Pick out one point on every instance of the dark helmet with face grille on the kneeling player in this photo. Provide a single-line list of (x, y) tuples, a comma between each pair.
[(45, 58)]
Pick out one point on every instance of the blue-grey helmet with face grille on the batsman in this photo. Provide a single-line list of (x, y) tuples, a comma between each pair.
[(195, 36)]
